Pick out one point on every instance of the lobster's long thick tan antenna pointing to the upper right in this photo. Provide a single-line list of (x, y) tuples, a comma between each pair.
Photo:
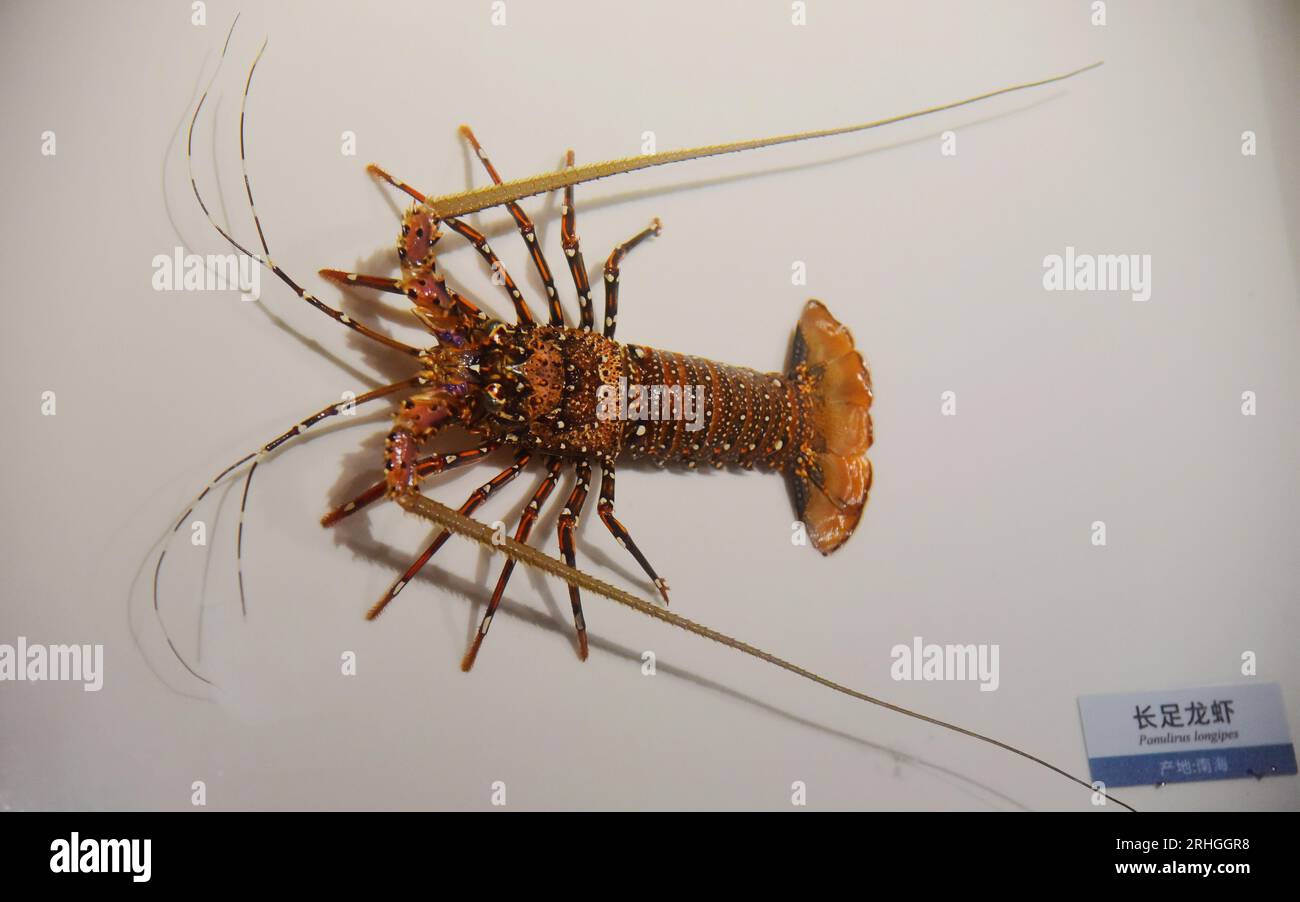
[(478, 200)]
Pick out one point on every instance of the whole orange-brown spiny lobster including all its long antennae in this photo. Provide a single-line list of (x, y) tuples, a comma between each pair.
[(539, 388)]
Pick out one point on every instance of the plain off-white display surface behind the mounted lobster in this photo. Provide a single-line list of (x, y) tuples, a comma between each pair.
[(1072, 407)]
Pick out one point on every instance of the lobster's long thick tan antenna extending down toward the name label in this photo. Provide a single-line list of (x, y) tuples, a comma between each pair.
[(445, 517)]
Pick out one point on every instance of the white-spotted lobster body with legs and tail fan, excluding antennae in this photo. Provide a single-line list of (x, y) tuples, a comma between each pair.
[(539, 387)]
